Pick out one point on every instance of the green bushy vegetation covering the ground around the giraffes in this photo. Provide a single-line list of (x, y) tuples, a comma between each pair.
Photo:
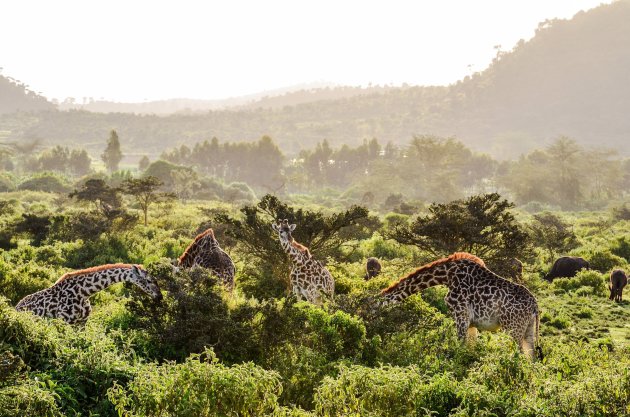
[(203, 351)]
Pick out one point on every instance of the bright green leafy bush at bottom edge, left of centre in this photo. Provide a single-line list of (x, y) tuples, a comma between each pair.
[(199, 387)]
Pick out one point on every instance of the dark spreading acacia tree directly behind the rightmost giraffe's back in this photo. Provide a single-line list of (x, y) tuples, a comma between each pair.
[(482, 225)]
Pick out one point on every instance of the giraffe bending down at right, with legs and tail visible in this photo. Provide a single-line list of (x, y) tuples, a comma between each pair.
[(477, 299)]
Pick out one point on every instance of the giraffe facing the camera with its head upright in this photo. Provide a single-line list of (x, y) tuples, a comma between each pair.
[(309, 278)]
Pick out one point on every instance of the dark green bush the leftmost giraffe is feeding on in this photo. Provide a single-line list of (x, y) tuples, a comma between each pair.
[(193, 315)]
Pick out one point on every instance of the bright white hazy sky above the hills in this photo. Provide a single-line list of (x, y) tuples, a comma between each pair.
[(132, 50)]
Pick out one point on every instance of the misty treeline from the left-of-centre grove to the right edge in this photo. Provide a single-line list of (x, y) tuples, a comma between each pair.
[(429, 168)]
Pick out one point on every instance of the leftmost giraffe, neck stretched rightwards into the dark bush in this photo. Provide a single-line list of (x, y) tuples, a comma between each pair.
[(69, 297)]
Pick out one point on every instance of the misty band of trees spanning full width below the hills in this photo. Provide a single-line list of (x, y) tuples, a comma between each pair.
[(562, 175)]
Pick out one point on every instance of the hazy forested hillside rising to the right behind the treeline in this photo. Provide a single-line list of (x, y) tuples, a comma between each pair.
[(572, 78)]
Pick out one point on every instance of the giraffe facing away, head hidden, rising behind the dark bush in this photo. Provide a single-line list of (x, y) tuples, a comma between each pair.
[(204, 251)]
